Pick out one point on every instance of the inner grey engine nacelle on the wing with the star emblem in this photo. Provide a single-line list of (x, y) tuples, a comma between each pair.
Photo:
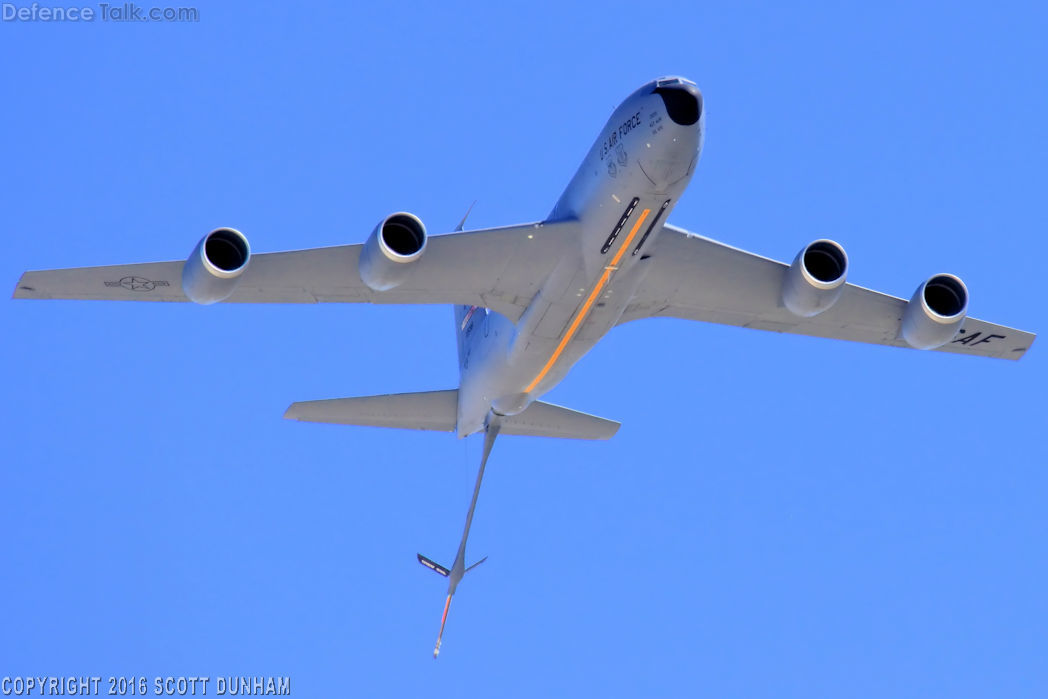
[(394, 248)]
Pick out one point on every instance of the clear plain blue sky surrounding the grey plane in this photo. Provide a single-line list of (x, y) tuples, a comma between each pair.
[(779, 516)]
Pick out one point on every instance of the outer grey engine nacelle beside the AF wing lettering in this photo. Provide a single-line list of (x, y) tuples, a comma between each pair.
[(935, 313)]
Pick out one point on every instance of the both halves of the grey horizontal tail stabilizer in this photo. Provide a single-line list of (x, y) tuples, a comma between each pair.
[(439, 411)]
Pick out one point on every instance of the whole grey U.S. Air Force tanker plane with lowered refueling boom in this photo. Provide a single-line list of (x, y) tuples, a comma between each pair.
[(531, 300)]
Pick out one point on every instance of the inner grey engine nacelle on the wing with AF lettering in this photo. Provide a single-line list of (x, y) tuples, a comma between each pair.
[(815, 281)]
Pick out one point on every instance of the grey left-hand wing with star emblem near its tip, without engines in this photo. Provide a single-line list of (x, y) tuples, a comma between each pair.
[(498, 269)]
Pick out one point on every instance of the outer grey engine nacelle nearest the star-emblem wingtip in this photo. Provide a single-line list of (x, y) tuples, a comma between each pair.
[(215, 266)]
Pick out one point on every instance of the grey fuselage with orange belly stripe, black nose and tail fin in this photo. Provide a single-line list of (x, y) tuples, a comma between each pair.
[(630, 181)]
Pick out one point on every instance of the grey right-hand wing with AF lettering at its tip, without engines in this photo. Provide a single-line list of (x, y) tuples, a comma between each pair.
[(700, 279)]
